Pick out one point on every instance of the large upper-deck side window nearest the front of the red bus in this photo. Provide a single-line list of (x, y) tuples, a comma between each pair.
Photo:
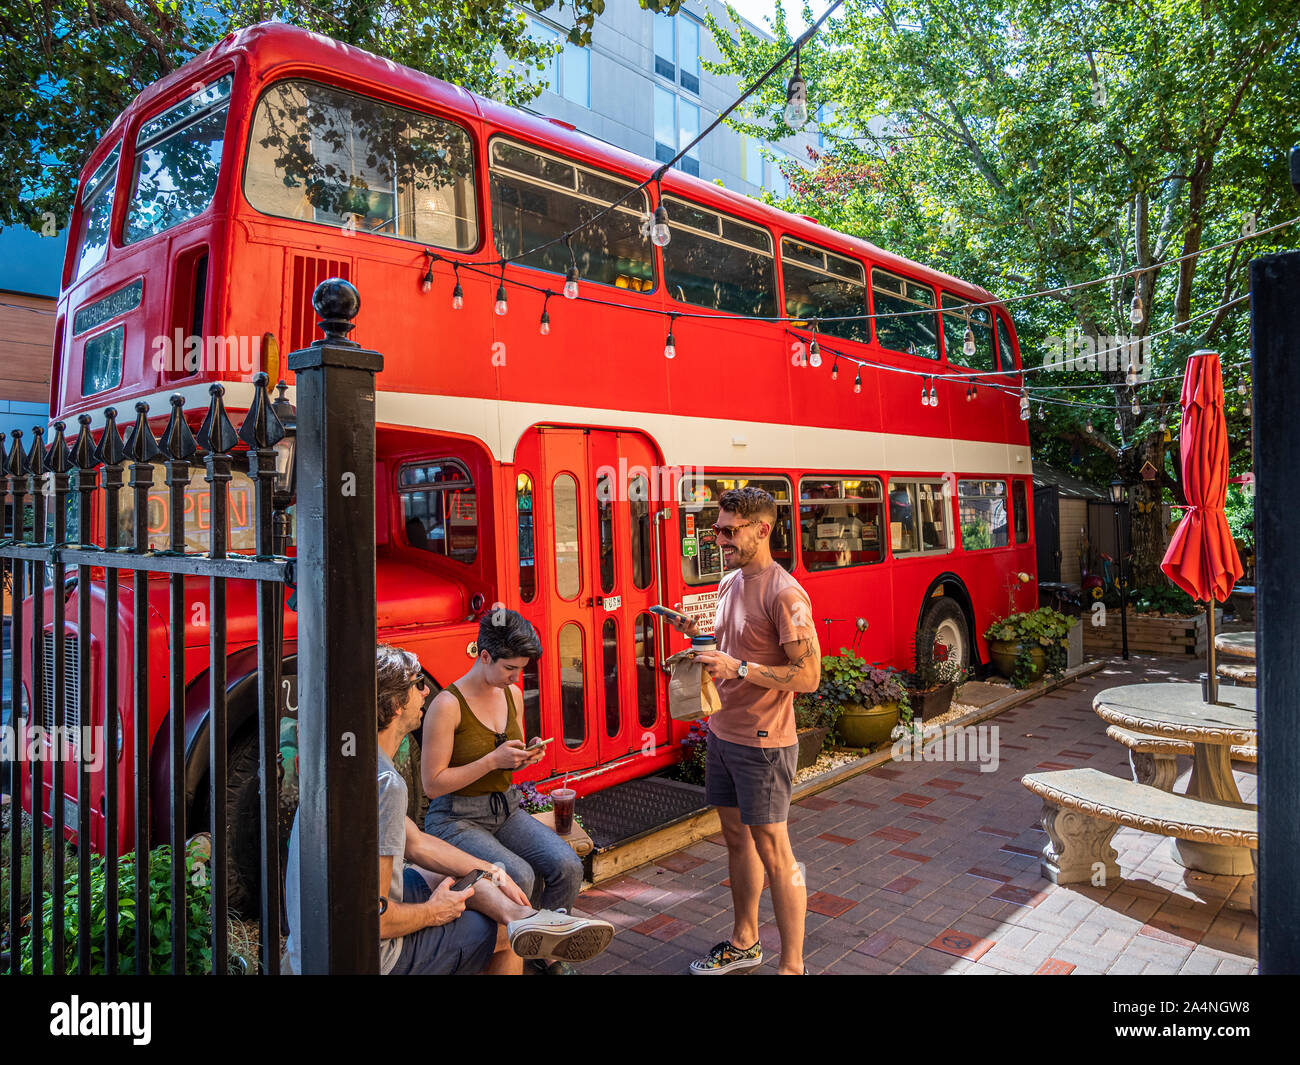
[(327, 157)]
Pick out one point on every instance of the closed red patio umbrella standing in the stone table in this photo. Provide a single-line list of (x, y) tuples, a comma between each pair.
[(1202, 559)]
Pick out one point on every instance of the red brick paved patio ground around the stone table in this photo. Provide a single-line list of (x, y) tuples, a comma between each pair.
[(934, 868)]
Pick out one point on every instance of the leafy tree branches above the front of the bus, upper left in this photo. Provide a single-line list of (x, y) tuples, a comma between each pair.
[(71, 68)]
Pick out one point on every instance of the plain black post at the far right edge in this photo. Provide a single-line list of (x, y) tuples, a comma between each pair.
[(1276, 376)]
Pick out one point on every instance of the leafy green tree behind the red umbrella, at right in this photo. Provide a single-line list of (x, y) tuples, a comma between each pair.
[(1034, 145)]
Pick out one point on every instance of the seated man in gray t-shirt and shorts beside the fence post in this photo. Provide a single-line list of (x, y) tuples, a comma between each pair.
[(427, 927)]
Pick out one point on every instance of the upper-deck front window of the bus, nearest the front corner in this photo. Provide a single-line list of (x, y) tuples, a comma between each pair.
[(177, 161)]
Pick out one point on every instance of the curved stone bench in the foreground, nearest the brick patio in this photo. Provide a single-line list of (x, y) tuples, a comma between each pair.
[(1084, 809)]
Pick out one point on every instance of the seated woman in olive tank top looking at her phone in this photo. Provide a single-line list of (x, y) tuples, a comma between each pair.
[(473, 744)]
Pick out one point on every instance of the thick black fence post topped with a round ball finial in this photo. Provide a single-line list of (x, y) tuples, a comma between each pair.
[(339, 733)]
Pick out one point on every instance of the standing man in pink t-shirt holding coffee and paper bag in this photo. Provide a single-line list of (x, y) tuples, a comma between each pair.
[(768, 652)]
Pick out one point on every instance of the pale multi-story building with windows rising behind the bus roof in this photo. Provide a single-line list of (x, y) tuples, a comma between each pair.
[(643, 86)]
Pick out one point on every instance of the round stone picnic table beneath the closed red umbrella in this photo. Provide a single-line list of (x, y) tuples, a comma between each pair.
[(1178, 712)]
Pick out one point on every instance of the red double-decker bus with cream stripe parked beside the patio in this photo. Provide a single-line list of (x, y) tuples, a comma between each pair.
[(538, 451)]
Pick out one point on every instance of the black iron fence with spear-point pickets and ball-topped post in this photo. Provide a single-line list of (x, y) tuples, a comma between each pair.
[(118, 738)]
